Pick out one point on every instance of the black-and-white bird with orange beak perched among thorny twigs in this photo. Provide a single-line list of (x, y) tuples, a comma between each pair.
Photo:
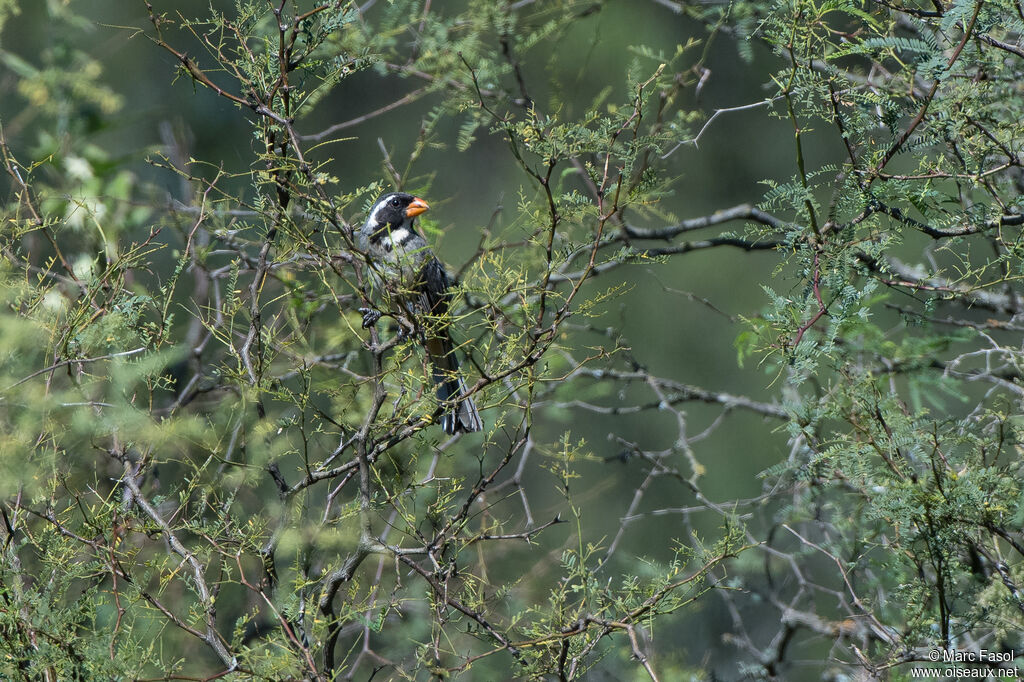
[(405, 266)]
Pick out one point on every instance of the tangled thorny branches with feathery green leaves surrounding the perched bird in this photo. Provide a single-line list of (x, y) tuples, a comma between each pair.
[(380, 485)]
